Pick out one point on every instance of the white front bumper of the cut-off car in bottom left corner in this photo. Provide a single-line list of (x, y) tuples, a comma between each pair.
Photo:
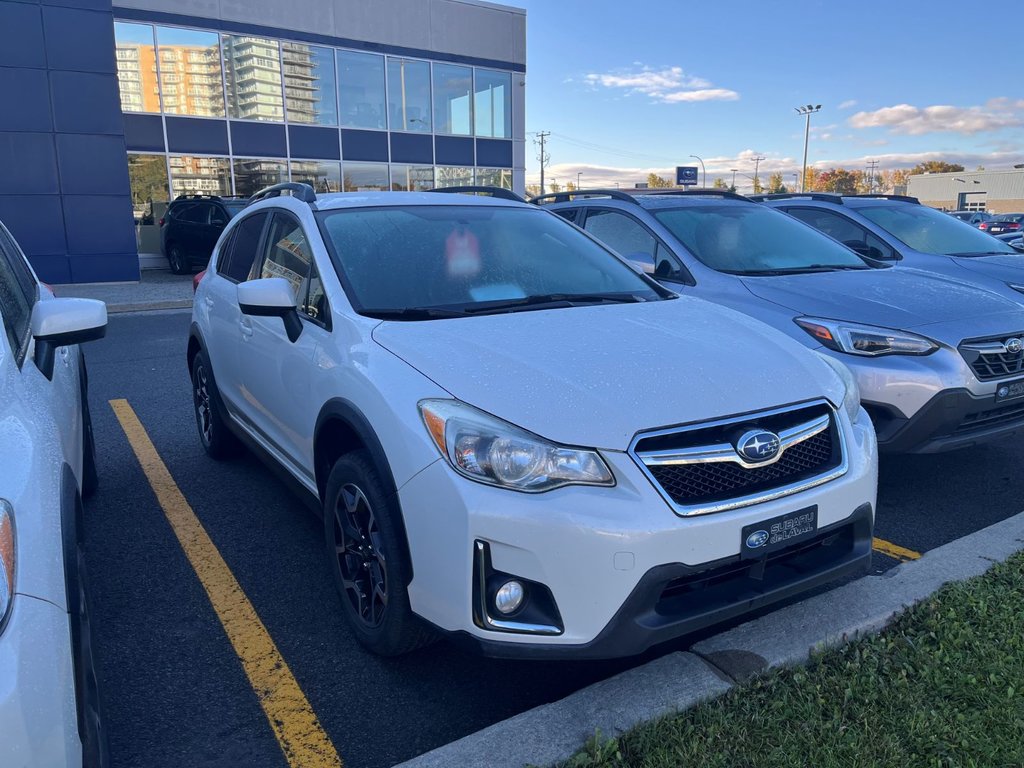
[(38, 715)]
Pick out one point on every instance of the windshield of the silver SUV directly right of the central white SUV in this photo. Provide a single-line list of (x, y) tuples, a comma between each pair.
[(754, 240)]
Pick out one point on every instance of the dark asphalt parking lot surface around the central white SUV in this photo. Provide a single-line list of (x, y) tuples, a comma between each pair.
[(175, 690)]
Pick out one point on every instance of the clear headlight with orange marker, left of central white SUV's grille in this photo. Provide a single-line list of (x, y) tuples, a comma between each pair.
[(489, 450)]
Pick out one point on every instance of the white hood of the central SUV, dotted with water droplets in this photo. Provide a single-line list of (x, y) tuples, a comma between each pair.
[(598, 375)]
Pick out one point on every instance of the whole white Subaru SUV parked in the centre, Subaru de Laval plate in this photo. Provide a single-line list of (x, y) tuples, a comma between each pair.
[(518, 440)]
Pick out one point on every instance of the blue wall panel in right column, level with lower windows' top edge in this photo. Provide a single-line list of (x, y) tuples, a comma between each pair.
[(93, 165)]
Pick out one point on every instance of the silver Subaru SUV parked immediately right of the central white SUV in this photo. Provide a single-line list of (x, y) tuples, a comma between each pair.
[(940, 362)]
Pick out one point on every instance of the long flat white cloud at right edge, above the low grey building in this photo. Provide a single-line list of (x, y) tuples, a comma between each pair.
[(916, 121)]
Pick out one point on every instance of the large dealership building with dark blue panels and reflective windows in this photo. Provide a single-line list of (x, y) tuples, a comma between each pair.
[(111, 111)]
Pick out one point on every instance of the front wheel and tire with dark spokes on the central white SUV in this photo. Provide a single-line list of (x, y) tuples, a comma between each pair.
[(368, 559)]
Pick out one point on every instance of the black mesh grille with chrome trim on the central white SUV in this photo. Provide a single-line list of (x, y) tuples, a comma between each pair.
[(699, 470)]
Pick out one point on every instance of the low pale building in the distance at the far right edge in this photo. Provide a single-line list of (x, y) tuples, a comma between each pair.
[(995, 192)]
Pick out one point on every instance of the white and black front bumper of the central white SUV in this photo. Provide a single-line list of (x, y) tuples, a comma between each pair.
[(622, 568)]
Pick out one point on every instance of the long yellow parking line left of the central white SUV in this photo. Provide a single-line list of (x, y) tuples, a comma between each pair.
[(300, 733)]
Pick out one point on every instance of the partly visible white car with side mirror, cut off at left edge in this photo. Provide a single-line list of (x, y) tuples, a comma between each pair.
[(50, 707)]
